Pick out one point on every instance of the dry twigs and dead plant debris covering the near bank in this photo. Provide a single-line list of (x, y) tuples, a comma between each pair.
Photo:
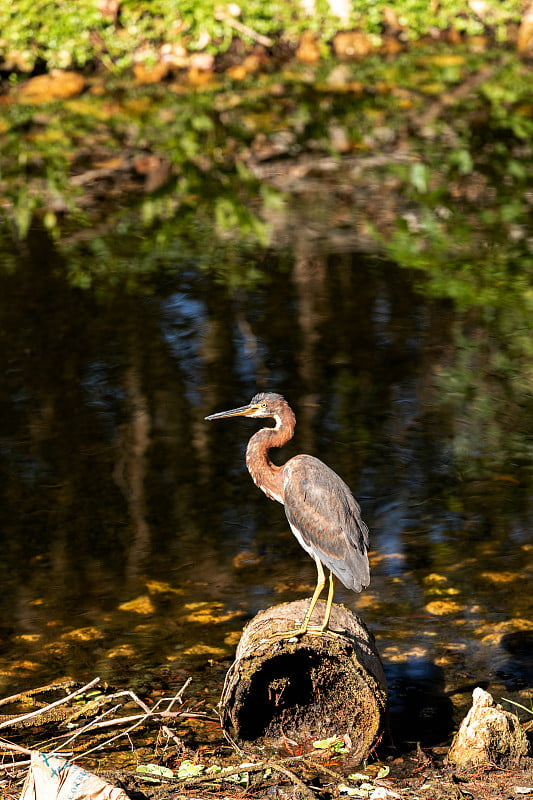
[(138, 751)]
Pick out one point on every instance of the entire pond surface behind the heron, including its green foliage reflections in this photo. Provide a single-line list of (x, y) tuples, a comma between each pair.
[(355, 236)]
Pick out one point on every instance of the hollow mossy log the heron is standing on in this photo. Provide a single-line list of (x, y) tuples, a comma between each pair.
[(298, 691)]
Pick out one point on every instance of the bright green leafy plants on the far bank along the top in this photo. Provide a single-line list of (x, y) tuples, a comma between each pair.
[(65, 34)]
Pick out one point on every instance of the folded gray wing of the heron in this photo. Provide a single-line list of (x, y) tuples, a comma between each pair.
[(322, 510)]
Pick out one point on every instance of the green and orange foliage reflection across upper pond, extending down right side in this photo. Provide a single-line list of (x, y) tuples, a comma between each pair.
[(453, 199)]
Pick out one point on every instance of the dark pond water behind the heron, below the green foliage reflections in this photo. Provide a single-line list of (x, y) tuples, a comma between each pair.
[(134, 543)]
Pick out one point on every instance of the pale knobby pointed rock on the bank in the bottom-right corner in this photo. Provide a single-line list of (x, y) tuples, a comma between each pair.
[(488, 734)]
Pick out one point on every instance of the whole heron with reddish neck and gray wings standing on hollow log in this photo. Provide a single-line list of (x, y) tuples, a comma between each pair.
[(321, 510)]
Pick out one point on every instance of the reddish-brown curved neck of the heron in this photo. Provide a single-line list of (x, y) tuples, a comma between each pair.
[(266, 475)]
